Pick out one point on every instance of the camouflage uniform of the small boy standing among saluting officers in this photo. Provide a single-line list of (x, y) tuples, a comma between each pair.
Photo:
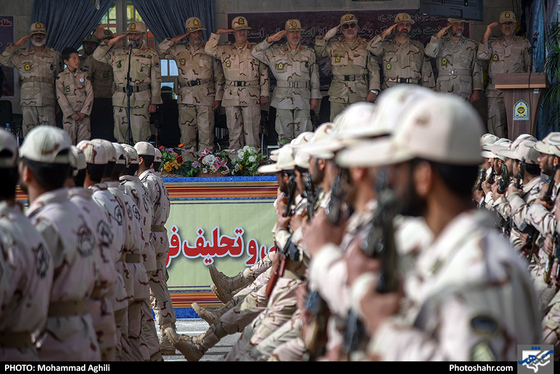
[(74, 93)]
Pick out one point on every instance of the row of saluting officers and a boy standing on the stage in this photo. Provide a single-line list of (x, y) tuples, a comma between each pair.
[(127, 83)]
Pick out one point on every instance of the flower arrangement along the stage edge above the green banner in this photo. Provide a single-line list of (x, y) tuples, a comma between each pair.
[(228, 162)]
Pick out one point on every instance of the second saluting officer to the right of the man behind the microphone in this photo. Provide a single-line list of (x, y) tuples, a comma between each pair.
[(247, 85)]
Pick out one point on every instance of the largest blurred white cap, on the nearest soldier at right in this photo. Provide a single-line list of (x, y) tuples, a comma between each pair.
[(436, 127)]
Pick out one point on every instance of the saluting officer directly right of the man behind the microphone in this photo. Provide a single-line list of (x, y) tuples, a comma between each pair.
[(201, 87)]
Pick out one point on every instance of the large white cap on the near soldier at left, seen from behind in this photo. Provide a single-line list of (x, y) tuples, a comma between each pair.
[(47, 144)]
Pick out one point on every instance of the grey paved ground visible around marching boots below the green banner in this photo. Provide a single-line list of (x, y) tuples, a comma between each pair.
[(195, 327)]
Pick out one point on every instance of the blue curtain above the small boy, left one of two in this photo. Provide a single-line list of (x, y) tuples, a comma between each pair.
[(68, 21)]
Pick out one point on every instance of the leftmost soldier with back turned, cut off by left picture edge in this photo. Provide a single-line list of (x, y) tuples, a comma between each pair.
[(27, 267)]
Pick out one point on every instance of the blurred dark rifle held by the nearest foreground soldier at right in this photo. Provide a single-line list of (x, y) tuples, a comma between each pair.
[(379, 241)]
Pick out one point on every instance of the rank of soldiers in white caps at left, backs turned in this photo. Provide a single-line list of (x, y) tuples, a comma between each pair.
[(82, 269)]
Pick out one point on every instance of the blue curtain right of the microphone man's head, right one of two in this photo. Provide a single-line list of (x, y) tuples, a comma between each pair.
[(166, 18)]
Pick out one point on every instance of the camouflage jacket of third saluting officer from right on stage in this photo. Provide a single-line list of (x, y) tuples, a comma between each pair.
[(402, 61)]
